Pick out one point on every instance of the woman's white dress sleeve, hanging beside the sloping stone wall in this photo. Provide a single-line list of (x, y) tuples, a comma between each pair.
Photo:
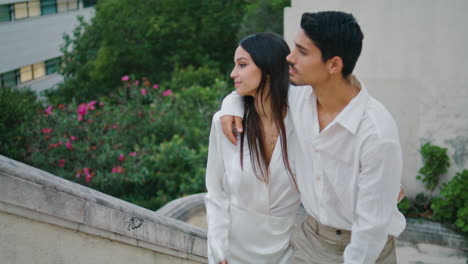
[(217, 198)]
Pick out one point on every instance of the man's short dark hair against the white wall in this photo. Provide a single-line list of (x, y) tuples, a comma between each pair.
[(335, 34)]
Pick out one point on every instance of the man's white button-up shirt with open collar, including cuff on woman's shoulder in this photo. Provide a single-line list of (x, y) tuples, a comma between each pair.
[(349, 173)]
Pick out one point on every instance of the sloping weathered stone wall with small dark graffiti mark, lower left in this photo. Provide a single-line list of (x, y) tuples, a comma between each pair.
[(46, 219)]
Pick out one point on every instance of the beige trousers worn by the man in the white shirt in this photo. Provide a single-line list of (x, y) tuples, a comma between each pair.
[(314, 243)]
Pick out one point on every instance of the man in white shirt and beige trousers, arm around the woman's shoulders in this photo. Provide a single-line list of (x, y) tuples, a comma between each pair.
[(349, 162)]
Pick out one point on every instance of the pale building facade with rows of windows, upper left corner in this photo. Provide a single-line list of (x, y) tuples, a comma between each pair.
[(31, 38)]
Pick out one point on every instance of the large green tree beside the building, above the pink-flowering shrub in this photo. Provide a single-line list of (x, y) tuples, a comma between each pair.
[(147, 38)]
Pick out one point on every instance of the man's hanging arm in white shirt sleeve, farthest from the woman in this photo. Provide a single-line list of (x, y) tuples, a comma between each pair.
[(378, 188)]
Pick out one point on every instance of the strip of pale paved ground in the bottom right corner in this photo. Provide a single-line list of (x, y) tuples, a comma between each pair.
[(421, 253)]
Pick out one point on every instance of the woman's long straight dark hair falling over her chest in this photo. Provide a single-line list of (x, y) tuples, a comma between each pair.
[(268, 52)]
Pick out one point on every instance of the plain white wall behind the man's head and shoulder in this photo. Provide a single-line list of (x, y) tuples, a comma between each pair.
[(414, 60)]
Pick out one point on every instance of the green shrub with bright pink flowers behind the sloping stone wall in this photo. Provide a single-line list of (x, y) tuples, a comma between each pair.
[(144, 143)]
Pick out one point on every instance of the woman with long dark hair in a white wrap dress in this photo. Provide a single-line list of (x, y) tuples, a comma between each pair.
[(252, 198)]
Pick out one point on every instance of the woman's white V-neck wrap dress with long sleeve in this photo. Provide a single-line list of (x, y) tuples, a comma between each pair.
[(249, 221)]
